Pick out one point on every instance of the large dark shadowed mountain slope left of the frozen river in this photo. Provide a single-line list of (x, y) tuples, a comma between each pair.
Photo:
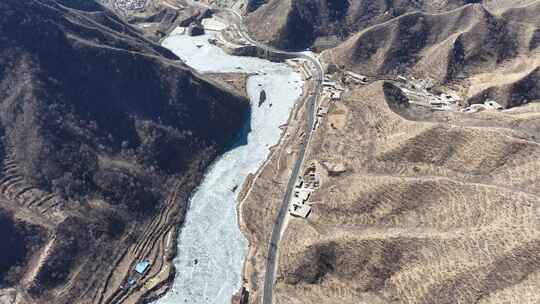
[(99, 126)]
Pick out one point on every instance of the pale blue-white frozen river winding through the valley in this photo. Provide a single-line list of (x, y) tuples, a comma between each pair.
[(211, 248)]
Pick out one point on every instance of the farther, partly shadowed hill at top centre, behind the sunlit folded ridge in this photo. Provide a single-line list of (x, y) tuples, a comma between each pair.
[(298, 24)]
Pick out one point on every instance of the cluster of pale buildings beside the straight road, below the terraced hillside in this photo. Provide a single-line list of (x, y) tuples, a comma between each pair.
[(299, 206)]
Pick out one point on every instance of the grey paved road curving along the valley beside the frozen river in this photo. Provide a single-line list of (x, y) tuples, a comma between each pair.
[(318, 75)]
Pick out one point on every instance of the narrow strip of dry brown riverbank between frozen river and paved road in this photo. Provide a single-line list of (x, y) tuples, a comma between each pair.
[(269, 184)]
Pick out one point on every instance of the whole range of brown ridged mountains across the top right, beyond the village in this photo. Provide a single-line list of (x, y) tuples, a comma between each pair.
[(489, 49)]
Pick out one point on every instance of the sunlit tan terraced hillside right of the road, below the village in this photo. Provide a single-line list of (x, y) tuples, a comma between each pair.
[(442, 209)]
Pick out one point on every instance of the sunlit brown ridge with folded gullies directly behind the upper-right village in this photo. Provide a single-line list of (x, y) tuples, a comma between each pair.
[(491, 56)]
